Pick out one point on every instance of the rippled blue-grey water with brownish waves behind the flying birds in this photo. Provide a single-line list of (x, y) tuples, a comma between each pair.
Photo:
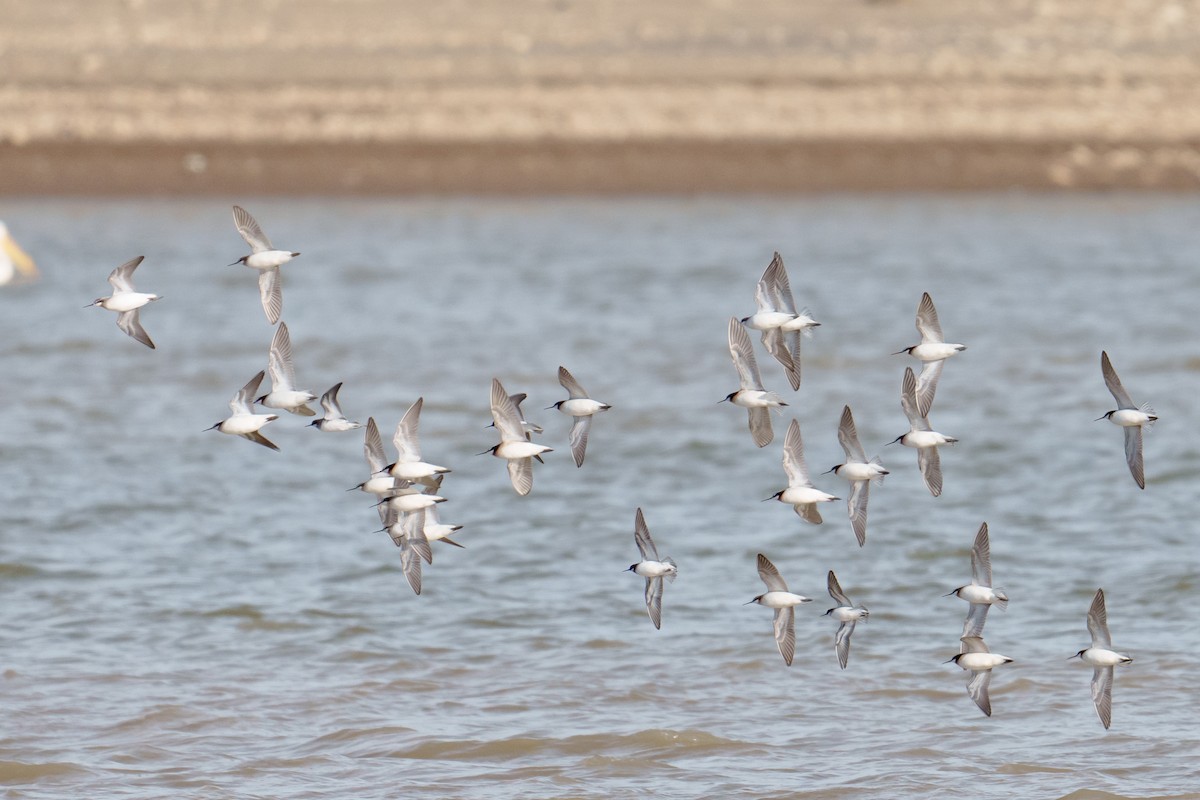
[(189, 615)]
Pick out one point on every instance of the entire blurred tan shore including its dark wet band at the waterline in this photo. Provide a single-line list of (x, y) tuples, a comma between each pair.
[(532, 97)]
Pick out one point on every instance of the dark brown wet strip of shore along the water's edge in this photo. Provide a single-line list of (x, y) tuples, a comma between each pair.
[(592, 167)]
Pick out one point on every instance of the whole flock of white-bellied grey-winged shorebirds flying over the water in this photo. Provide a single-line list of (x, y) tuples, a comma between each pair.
[(409, 489)]
